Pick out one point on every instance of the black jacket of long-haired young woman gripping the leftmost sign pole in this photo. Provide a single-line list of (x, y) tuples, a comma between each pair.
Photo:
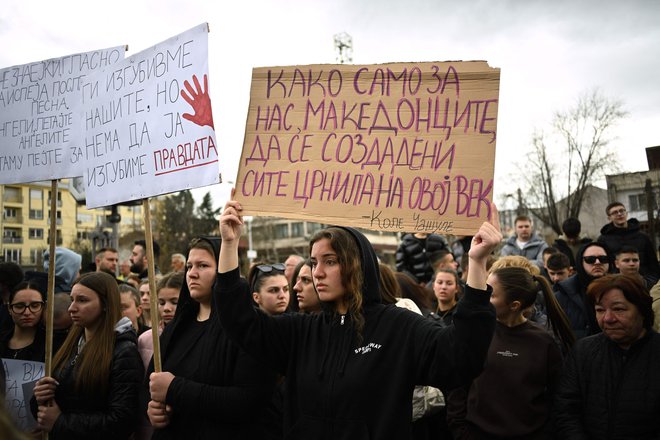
[(112, 417)]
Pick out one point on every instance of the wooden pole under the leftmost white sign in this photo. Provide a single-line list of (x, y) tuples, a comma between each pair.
[(50, 298)]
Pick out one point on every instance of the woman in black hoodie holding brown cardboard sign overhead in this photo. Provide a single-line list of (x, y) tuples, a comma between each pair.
[(351, 370)]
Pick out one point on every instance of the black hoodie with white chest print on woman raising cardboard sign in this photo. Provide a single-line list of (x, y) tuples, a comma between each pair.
[(339, 389)]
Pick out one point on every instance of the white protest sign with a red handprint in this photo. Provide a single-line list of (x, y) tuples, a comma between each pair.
[(149, 124)]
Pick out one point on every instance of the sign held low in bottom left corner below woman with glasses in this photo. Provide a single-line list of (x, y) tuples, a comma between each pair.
[(20, 377)]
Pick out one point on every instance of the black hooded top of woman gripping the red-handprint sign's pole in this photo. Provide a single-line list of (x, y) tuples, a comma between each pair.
[(229, 390)]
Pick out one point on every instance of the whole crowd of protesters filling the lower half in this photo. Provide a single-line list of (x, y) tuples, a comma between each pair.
[(476, 337)]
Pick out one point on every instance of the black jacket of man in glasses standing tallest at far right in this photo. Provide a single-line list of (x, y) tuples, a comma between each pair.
[(615, 238)]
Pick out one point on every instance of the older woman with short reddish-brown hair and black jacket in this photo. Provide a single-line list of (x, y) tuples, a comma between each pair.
[(610, 385)]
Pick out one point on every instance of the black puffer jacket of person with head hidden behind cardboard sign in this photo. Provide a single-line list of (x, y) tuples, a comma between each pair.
[(413, 254)]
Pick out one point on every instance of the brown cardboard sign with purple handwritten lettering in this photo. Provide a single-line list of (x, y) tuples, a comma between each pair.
[(395, 147)]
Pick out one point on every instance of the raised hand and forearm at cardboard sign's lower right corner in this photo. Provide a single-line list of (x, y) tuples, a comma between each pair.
[(487, 238)]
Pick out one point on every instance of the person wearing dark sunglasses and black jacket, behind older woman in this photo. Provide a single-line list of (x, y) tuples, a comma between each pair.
[(593, 261)]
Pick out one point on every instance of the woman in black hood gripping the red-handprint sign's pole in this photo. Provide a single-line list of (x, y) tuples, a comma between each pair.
[(209, 387)]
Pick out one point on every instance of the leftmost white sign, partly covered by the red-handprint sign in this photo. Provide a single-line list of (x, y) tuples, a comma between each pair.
[(39, 115)]
